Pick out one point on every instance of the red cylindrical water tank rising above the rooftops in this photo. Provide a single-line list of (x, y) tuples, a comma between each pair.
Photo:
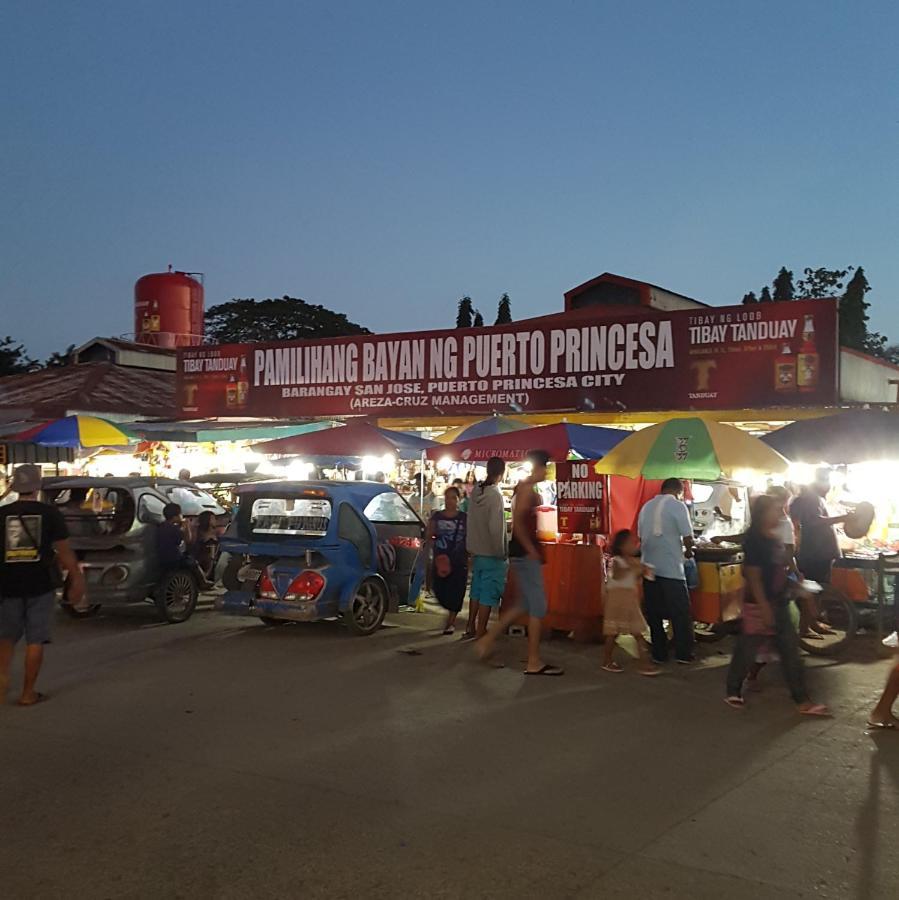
[(168, 309)]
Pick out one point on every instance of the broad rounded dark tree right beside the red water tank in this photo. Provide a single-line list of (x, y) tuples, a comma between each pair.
[(283, 319)]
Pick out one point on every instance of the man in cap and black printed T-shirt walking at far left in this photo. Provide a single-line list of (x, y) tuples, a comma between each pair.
[(34, 544)]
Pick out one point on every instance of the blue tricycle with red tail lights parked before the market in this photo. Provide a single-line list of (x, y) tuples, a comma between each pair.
[(303, 551)]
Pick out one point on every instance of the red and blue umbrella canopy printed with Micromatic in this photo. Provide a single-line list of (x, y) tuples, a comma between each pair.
[(560, 441)]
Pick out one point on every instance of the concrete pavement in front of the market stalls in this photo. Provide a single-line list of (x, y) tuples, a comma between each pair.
[(221, 758)]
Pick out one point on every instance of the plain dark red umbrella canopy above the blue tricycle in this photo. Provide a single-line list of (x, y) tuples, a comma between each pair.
[(356, 439)]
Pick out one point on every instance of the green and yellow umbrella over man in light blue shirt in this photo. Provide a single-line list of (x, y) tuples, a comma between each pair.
[(691, 448)]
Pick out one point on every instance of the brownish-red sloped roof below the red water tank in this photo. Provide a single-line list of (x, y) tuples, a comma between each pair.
[(91, 387)]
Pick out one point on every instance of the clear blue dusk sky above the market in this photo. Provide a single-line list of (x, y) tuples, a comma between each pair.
[(385, 158)]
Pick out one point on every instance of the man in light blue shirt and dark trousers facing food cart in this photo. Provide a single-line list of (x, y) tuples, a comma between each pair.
[(666, 537)]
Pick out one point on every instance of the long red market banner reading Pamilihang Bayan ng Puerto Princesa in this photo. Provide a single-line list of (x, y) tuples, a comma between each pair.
[(767, 354)]
